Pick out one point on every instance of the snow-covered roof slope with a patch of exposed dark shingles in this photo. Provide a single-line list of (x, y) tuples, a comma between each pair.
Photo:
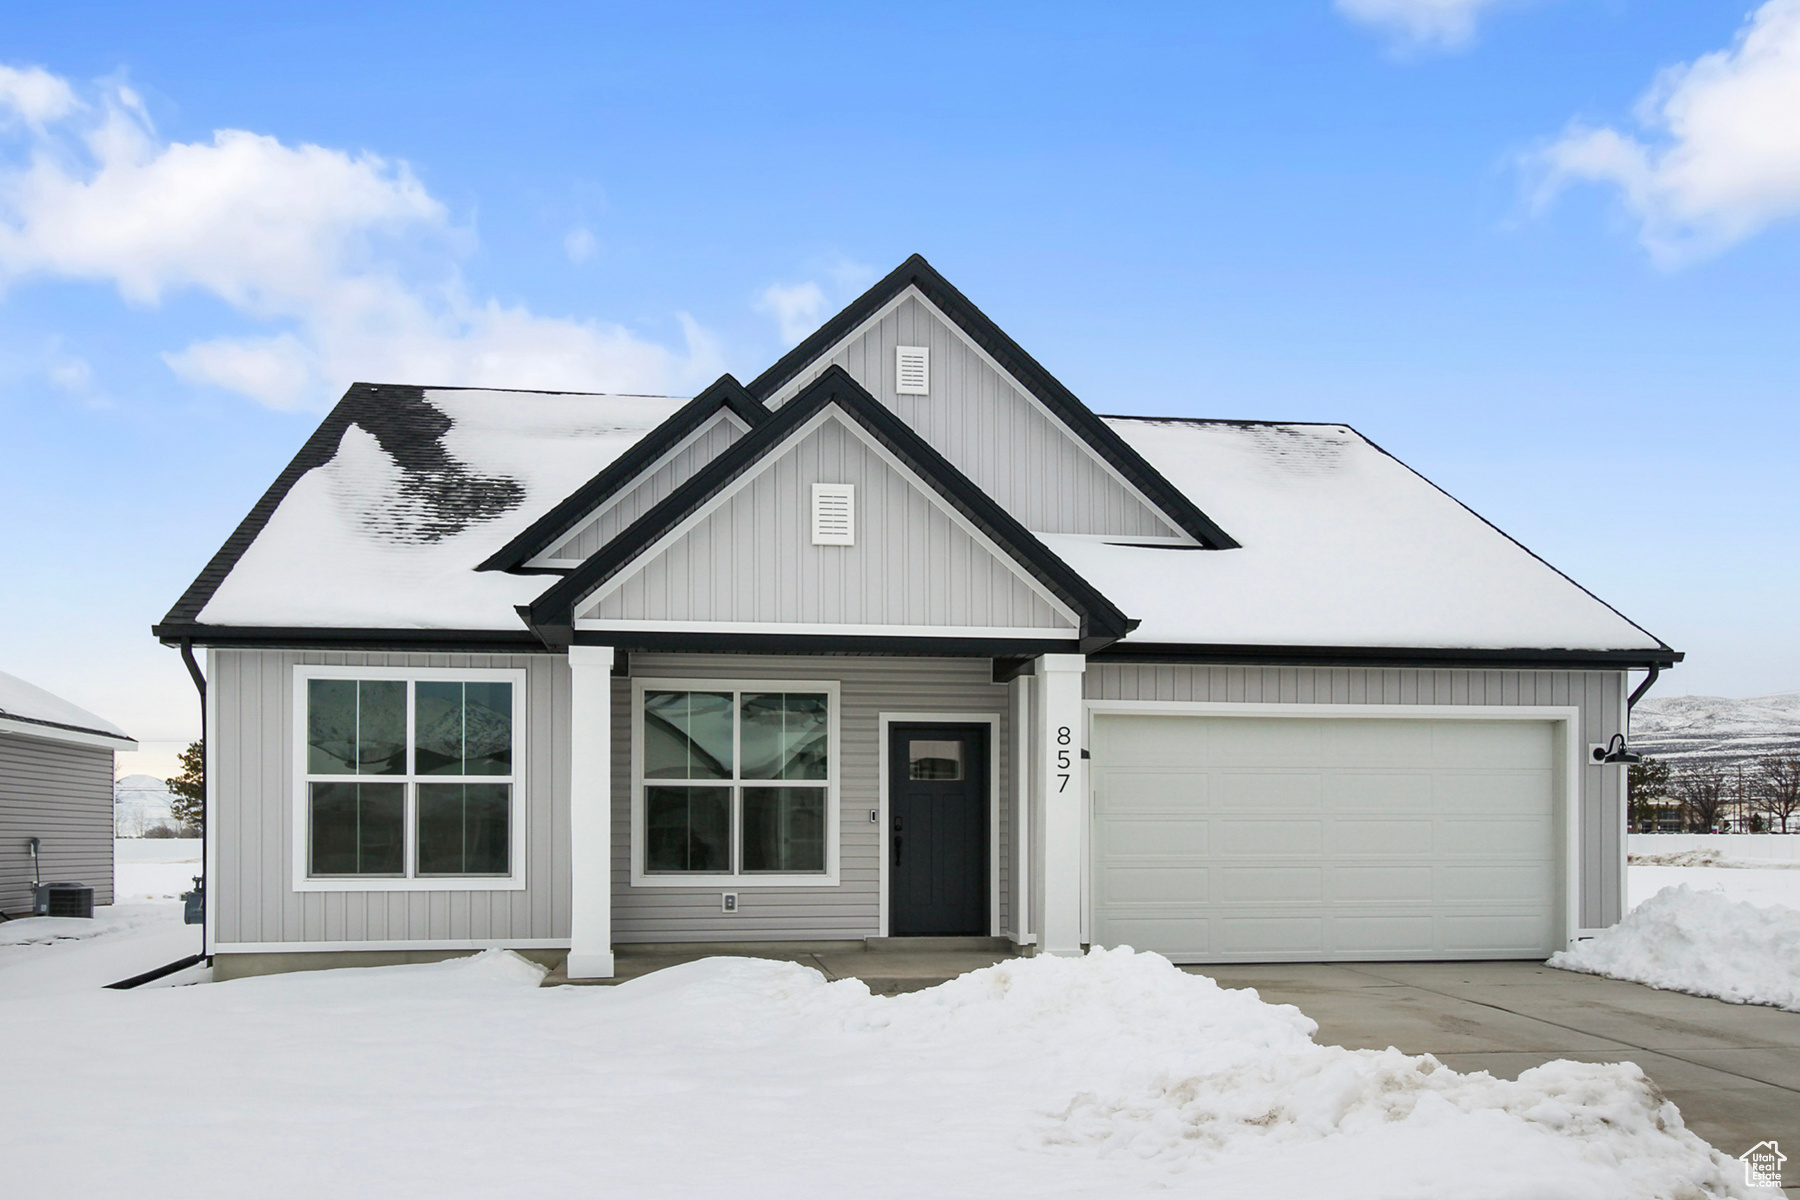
[(391, 528)]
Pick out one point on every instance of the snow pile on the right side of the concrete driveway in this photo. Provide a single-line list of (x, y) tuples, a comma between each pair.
[(1702, 944)]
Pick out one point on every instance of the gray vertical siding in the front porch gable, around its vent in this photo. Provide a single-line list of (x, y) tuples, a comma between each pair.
[(751, 560)]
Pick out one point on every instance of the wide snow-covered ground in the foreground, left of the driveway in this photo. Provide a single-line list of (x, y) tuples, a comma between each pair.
[(1102, 1077)]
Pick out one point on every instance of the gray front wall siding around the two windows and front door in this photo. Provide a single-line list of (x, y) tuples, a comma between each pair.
[(253, 807)]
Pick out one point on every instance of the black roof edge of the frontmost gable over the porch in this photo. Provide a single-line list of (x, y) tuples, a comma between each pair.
[(552, 616)]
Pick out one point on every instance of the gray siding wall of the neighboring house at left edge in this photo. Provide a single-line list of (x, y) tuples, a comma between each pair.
[(62, 794)]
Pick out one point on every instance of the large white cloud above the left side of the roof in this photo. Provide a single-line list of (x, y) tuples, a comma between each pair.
[(348, 262)]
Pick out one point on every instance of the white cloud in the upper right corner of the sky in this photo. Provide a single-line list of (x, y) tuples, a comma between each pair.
[(1720, 157)]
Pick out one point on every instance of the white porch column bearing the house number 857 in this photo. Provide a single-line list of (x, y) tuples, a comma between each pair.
[(1061, 780)]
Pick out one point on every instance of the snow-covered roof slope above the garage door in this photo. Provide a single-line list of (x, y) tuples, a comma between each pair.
[(1342, 546)]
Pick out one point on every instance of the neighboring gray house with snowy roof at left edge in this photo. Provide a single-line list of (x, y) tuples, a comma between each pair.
[(57, 785)]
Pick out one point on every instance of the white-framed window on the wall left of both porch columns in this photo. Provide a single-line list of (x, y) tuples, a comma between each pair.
[(408, 780)]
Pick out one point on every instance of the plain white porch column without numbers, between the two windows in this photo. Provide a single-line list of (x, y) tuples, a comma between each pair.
[(591, 812)]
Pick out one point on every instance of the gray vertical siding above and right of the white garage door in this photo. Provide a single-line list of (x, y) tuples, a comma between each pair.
[(1599, 695)]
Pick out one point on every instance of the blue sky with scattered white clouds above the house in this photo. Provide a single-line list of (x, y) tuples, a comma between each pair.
[(1545, 253)]
